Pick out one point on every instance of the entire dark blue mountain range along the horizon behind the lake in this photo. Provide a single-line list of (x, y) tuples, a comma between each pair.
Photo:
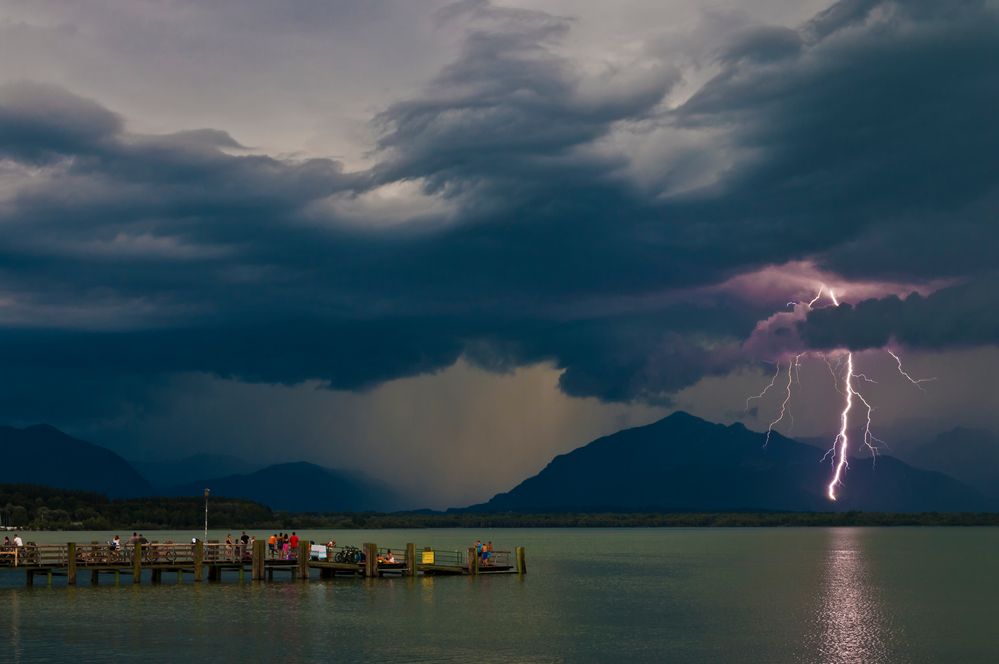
[(680, 463)]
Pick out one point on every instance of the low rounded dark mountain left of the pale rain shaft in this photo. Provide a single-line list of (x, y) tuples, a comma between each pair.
[(301, 487)]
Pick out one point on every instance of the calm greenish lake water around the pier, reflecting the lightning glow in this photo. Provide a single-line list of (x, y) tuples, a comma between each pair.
[(591, 595)]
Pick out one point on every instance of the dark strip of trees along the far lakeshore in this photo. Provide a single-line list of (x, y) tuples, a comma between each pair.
[(32, 507)]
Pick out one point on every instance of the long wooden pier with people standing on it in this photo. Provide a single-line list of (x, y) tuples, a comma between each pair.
[(196, 560)]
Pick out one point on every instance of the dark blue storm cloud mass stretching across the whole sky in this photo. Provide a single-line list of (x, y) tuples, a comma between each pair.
[(865, 141)]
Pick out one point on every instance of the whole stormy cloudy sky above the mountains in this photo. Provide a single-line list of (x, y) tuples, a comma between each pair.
[(441, 242)]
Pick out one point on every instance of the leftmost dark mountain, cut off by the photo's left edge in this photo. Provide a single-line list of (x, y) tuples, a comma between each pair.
[(43, 455)]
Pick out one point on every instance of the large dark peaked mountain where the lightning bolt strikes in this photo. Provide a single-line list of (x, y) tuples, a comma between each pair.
[(683, 463)]
